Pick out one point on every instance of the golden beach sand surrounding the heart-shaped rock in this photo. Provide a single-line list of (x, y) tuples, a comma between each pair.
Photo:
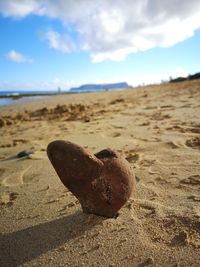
[(156, 128)]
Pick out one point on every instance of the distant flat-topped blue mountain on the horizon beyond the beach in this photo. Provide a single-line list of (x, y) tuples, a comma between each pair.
[(99, 87)]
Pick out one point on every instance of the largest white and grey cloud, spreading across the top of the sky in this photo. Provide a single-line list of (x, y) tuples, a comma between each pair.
[(113, 29)]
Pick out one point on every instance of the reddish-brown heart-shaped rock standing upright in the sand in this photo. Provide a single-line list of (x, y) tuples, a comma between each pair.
[(102, 182)]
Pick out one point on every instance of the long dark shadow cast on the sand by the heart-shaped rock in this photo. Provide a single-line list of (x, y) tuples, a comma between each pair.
[(22, 246)]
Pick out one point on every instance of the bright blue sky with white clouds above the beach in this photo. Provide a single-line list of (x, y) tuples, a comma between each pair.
[(46, 44)]
